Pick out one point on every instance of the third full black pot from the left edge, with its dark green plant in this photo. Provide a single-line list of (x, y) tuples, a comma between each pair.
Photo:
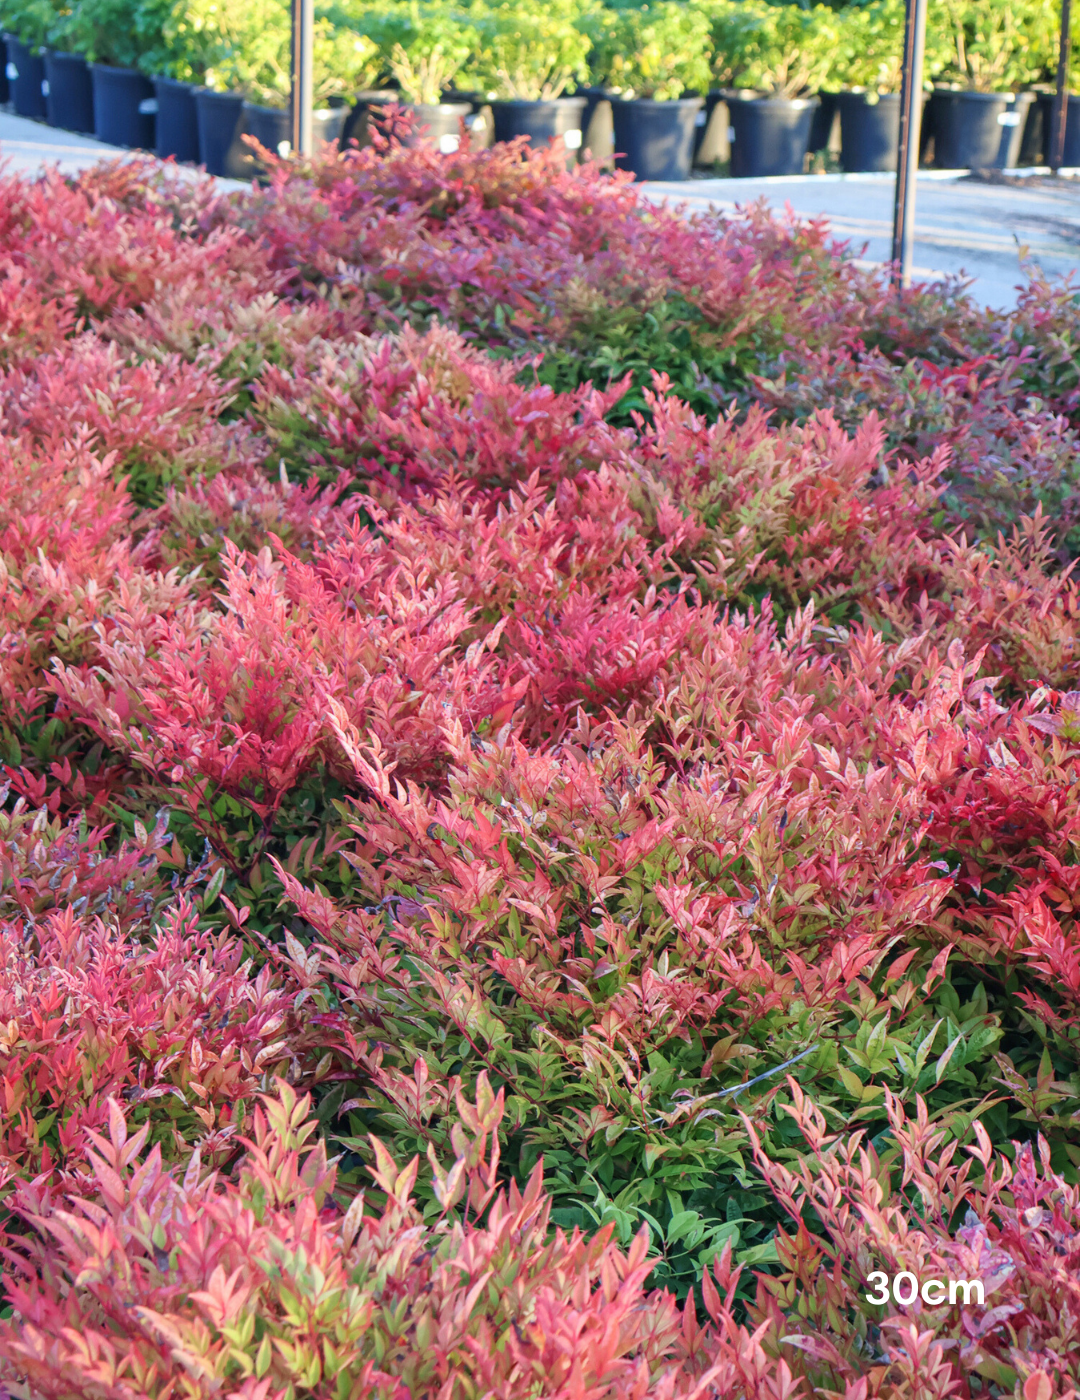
[(110, 36)]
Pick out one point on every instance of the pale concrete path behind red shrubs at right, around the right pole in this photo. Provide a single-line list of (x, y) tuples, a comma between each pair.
[(962, 225)]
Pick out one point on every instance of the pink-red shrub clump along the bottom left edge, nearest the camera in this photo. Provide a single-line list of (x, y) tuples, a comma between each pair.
[(156, 1272)]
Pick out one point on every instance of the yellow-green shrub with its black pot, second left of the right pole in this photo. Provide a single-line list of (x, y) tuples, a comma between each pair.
[(775, 58)]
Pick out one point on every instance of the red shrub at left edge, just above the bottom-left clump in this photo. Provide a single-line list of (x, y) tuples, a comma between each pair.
[(93, 1010)]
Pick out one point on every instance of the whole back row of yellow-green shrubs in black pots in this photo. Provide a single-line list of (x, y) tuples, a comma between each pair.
[(743, 86)]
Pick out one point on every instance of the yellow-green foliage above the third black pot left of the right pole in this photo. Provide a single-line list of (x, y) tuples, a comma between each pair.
[(656, 51)]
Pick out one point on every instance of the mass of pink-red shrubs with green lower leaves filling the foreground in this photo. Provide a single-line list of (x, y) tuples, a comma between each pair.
[(539, 832)]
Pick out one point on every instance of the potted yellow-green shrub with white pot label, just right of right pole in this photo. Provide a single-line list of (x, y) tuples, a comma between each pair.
[(978, 110)]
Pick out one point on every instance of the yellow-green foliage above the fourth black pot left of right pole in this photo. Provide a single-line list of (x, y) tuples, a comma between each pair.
[(527, 55)]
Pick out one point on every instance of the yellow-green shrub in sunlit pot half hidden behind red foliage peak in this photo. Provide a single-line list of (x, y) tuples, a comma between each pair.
[(425, 47)]
